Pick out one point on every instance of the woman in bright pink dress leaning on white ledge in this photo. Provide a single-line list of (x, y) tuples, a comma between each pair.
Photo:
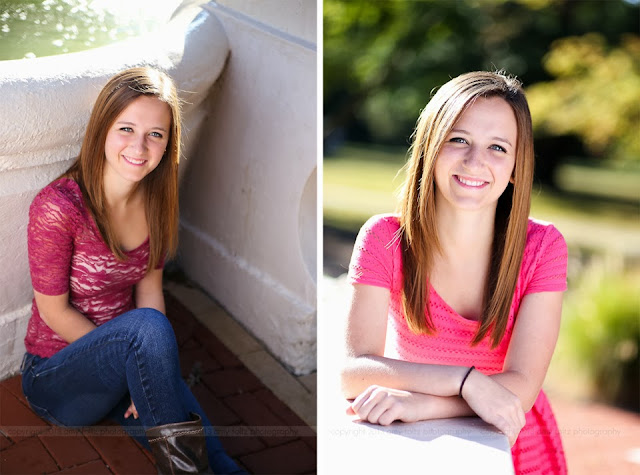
[(456, 301)]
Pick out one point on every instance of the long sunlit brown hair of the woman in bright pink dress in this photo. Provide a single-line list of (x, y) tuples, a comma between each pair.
[(418, 212)]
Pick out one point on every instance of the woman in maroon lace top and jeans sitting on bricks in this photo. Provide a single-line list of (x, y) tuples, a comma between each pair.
[(98, 342)]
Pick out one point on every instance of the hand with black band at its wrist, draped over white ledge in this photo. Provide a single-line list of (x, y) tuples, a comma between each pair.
[(494, 404)]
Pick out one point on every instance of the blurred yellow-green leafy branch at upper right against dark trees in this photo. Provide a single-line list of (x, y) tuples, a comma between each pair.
[(595, 94)]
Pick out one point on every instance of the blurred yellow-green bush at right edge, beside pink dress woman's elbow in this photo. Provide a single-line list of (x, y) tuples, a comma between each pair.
[(601, 328)]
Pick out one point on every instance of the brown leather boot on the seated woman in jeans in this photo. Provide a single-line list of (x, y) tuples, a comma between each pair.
[(179, 447)]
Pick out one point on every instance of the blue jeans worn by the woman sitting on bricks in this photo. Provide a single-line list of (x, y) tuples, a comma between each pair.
[(132, 357)]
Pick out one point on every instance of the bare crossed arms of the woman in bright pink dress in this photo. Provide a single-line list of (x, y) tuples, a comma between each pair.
[(385, 389)]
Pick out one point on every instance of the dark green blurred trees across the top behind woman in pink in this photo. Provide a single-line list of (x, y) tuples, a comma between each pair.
[(382, 59)]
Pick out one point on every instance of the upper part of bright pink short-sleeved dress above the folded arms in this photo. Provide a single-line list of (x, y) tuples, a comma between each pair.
[(377, 261)]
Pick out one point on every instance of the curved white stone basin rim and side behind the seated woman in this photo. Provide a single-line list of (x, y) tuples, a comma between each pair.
[(44, 107)]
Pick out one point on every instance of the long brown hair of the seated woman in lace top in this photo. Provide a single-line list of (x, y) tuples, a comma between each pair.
[(160, 187)]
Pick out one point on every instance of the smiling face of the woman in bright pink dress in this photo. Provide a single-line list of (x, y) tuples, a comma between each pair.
[(477, 158)]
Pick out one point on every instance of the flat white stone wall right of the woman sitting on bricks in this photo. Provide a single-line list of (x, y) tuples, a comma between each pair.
[(248, 198)]
